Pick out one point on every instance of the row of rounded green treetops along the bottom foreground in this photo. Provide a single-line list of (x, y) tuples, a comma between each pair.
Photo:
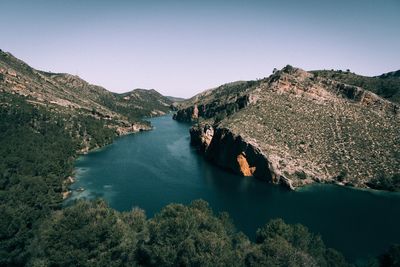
[(92, 234)]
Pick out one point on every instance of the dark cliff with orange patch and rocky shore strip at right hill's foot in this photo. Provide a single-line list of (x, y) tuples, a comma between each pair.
[(232, 152)]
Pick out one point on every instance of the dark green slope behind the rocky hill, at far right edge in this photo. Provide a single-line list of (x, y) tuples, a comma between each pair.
[(386, 85)]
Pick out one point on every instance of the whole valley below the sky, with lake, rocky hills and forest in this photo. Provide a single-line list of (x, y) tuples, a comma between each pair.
[(291, 128)]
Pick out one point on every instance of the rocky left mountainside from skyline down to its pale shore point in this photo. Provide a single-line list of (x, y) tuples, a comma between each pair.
[(69, 95)]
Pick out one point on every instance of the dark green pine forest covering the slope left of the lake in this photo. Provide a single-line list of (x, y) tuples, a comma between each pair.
[(37, 149)]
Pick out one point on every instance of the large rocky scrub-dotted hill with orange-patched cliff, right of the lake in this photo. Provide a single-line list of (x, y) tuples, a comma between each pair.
[(296, 128)]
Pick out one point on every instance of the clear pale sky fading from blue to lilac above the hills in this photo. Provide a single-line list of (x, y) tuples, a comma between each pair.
[(181, 48)]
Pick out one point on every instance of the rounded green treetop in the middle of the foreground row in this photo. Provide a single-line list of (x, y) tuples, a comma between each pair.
[(188, 236)]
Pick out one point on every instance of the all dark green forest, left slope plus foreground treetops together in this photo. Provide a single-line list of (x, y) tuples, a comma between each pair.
[(37, 149)]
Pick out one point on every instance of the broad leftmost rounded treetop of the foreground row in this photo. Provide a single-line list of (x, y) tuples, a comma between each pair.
[(89, 234)]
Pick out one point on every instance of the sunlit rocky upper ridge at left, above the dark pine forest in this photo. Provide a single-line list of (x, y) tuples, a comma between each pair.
[(69, 91)]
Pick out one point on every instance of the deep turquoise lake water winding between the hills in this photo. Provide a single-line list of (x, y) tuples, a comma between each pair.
[(153, 169)]
